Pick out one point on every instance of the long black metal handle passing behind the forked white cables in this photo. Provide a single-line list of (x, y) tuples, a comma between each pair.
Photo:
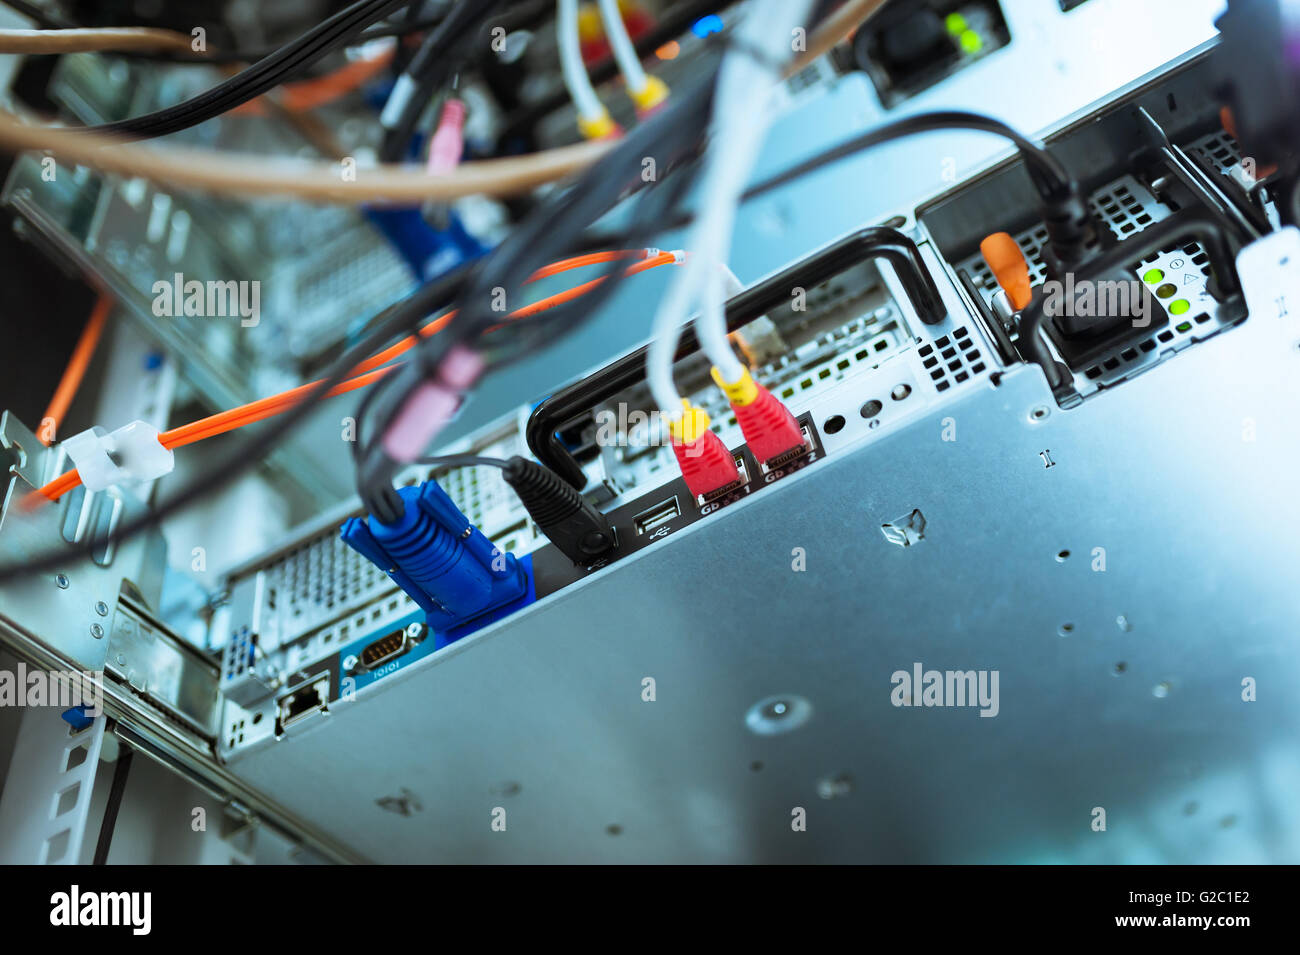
[(876, 242)]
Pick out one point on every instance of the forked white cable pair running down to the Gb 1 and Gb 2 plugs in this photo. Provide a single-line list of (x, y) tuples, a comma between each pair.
[(740, 124)]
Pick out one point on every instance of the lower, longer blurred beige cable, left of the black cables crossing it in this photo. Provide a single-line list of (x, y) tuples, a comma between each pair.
[(249, 175)]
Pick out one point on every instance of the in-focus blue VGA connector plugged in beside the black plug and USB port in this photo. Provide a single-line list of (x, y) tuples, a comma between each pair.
[(456, 575)]
